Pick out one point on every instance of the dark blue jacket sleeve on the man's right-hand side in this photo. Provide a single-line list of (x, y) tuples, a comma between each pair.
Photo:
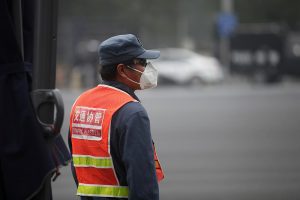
[(138, 157)]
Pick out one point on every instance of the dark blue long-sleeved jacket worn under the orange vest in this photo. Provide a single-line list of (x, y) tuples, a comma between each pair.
[(131, 149)]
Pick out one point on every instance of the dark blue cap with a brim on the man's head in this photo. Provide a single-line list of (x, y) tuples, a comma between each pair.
[(123, 48)]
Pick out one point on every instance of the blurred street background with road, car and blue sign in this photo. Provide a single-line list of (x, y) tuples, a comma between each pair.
[(225, 116)]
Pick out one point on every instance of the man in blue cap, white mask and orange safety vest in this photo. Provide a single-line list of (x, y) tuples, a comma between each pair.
[(113, 153)]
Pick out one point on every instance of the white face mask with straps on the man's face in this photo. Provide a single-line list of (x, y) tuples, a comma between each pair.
[(148, 78)]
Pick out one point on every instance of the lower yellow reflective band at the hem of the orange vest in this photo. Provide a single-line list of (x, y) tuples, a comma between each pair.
[(102, 191)]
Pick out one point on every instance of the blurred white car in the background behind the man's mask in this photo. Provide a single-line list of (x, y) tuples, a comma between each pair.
[(181, 66)]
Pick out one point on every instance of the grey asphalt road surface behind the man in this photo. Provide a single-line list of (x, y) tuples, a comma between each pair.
[(234, 141)]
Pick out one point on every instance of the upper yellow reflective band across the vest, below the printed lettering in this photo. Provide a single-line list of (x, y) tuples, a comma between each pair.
[(86, 161)]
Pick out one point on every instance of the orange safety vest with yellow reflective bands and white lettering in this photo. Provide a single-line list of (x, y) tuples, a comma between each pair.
[(90, 121)]
